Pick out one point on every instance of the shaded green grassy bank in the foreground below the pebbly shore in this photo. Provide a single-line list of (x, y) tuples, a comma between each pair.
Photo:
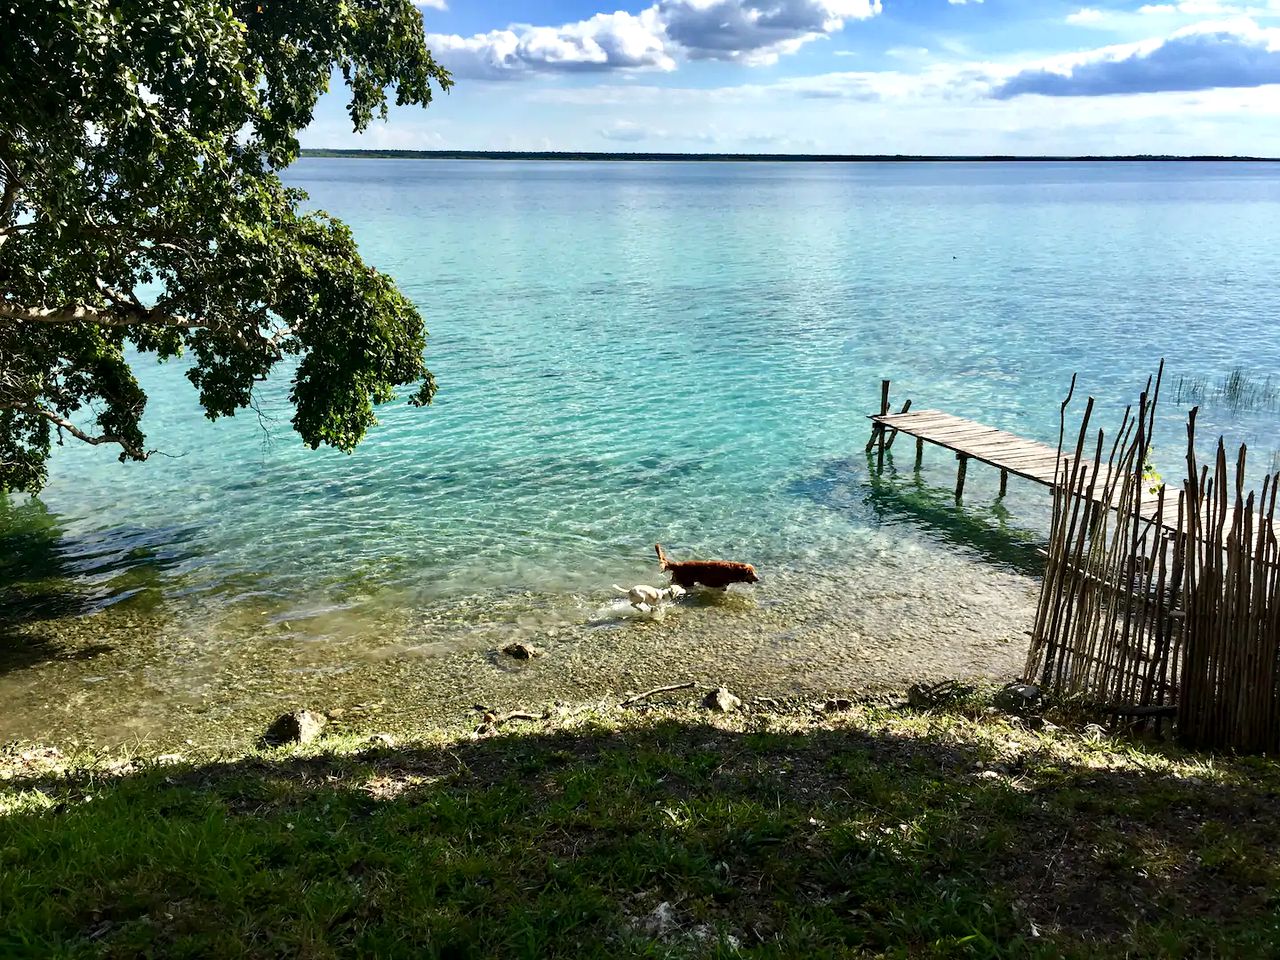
[(788, 833)]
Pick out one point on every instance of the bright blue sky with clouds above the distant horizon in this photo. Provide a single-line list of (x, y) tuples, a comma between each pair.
[(1017, 77)]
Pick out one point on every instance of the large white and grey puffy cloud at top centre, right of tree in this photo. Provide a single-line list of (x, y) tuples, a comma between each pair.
[(744, 31)]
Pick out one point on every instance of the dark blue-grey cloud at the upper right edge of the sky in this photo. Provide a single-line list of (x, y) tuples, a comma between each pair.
[(1205, 57)]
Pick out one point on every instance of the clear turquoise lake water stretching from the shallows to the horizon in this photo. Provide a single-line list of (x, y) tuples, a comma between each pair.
[(678, 353)]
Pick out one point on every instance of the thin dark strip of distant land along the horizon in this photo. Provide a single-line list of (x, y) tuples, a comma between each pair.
[(586, 157)]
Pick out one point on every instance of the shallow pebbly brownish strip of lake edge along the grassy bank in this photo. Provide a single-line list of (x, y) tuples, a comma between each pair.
[(126, 676)]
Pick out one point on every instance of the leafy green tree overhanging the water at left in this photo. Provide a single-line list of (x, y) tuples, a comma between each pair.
[(140, 202)]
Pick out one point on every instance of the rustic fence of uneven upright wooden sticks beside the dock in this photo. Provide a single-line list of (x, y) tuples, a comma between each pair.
[(1162, 602)]
